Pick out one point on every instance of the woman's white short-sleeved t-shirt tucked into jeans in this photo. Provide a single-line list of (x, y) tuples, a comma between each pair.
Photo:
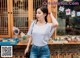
[(40, 34)]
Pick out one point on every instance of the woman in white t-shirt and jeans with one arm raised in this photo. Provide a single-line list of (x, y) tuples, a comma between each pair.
[(39, 33)]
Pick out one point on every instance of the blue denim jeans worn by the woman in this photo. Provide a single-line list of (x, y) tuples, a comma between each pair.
[(40, 52)]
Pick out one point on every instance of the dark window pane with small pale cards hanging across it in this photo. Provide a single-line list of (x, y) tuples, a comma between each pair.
[(68, 18)]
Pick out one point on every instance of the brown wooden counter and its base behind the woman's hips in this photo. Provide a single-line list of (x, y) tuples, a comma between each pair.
[(57, 50)]
